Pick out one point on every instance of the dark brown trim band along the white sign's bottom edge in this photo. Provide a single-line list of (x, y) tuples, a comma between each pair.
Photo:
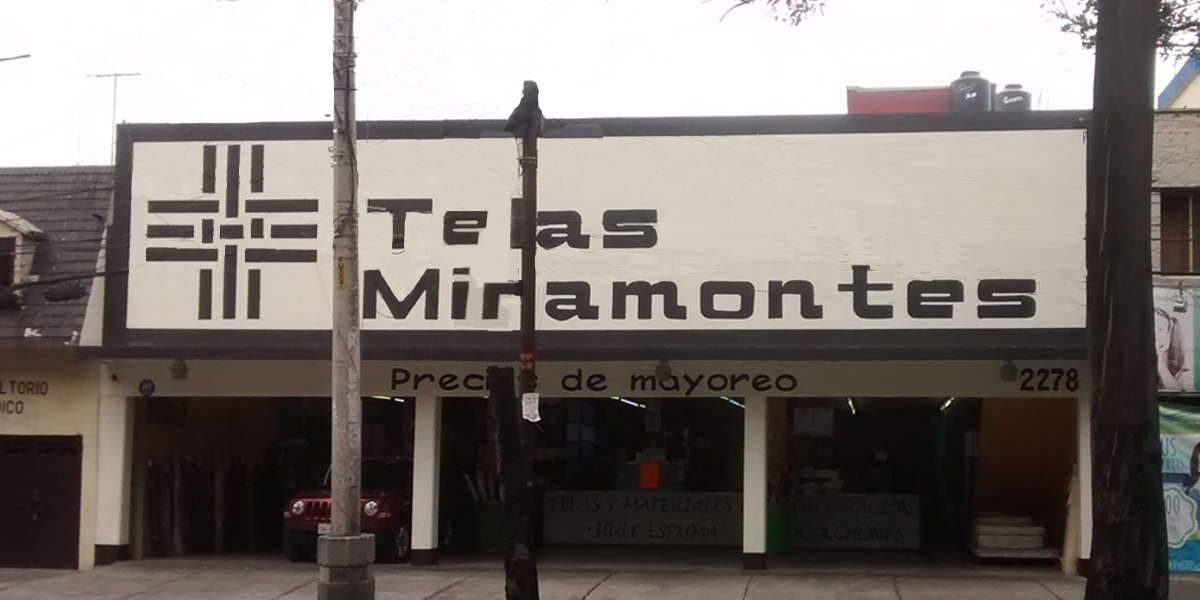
[(634, 345)]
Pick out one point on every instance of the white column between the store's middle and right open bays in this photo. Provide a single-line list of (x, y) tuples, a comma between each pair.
[(754, 489)]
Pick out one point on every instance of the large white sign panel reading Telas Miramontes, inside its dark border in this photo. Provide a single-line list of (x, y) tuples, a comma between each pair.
[(782, 232)]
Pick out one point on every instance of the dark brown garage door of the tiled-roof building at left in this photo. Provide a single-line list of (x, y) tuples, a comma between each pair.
[(40, 481)]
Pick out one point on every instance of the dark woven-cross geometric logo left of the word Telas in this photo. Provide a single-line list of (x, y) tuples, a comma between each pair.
[(238, 225)]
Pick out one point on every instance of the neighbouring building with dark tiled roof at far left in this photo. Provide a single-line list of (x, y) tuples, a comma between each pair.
[(52, 221)]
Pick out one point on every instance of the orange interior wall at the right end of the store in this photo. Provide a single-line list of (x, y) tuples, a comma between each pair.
[(1027, 453)]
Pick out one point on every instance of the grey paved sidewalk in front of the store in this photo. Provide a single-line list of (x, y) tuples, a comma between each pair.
[(261, 579)]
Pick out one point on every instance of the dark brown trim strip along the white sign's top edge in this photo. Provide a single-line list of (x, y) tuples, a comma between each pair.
[(764, 125)]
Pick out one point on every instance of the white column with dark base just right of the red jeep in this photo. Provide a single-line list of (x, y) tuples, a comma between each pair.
[(427, 478)]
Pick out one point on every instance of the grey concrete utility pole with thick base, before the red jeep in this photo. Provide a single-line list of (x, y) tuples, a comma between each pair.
[(345, 555)]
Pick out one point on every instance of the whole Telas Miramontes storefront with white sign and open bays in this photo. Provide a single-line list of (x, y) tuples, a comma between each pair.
[(824, 320)]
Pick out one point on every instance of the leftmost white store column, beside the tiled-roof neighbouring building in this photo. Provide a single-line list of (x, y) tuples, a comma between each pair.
[(115, 473)]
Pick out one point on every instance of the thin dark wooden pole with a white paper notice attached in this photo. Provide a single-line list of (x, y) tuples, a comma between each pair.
[(514, 439)]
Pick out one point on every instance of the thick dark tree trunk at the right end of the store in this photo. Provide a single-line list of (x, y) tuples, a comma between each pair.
[(1130, 532)]
